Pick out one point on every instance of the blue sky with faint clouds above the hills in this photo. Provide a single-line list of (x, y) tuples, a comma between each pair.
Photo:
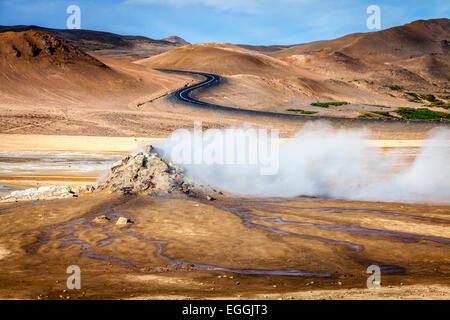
[(263, 22)]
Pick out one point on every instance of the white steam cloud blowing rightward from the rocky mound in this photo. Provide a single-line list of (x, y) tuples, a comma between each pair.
[(325, 162)]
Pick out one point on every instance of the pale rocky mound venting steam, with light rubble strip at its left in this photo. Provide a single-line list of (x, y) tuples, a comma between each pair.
[(139, 173)]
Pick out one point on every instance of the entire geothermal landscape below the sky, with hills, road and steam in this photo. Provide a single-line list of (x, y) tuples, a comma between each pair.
[(88, 178)]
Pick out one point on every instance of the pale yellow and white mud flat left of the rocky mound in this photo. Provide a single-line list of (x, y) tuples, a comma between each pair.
[(41, 160)]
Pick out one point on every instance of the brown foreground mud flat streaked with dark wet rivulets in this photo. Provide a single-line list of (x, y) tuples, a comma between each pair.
[(231, 248)]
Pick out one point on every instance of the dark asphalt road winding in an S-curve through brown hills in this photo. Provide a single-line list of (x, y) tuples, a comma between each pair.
[(184, 95)]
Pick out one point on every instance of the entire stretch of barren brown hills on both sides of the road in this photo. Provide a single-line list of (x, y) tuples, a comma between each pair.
[(45, 80)]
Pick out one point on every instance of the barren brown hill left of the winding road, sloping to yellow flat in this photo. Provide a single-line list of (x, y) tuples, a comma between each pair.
[(48, 85)]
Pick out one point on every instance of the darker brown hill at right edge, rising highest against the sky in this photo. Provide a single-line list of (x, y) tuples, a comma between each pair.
[(413, 56)]
